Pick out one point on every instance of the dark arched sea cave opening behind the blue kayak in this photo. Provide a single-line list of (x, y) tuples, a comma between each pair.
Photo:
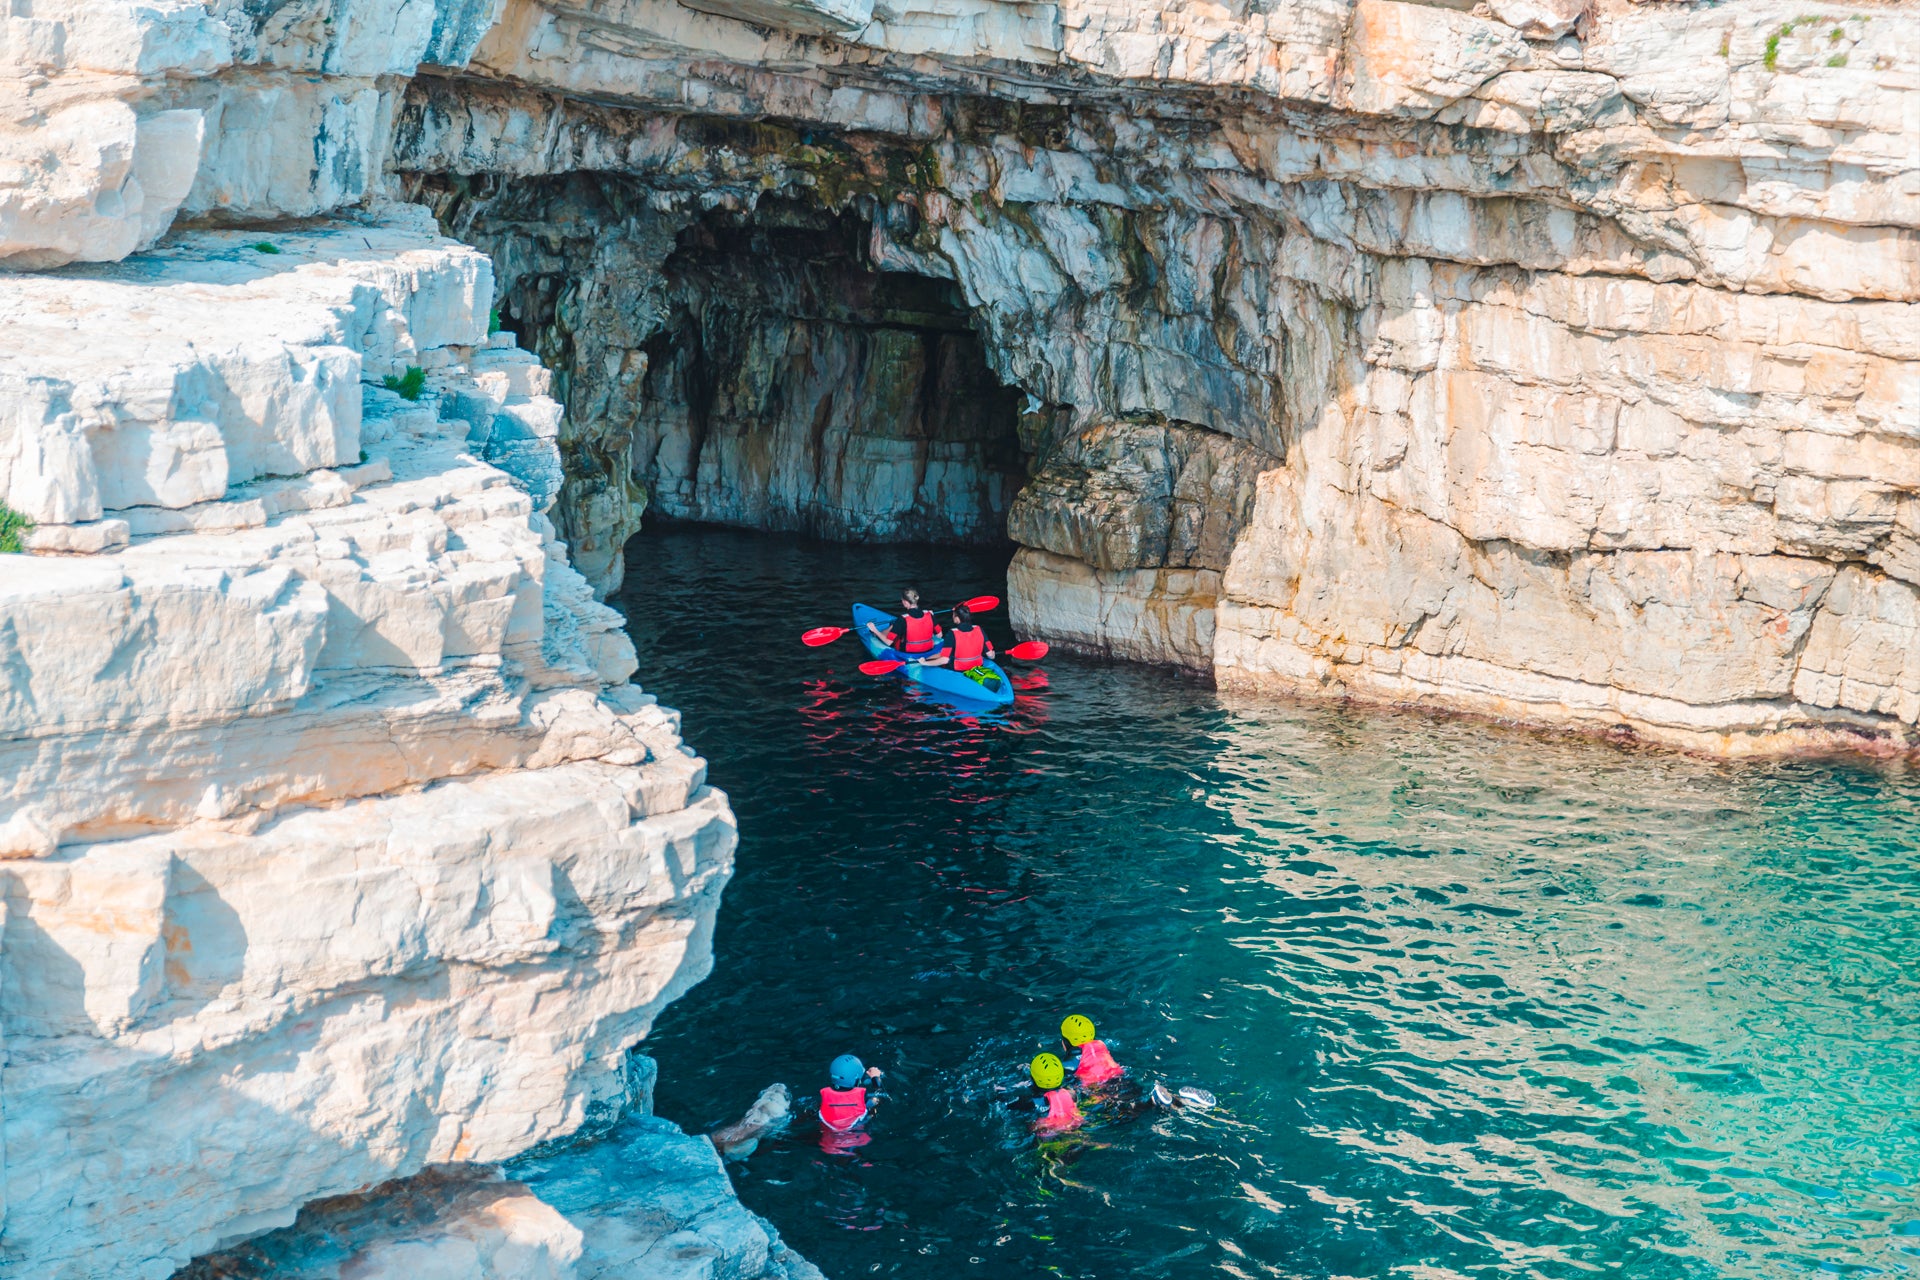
[(796, 389)]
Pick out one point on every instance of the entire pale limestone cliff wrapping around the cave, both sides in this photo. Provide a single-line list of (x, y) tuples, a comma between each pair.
[(1554, 360)]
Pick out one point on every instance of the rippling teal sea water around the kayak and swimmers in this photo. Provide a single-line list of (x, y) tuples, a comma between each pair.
[(1476, 1003)]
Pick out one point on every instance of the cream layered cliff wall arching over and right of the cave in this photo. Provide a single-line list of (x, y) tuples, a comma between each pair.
[(1581, 339)]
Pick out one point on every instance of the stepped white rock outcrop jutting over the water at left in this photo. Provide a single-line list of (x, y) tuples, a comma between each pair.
[(333, 838)]
